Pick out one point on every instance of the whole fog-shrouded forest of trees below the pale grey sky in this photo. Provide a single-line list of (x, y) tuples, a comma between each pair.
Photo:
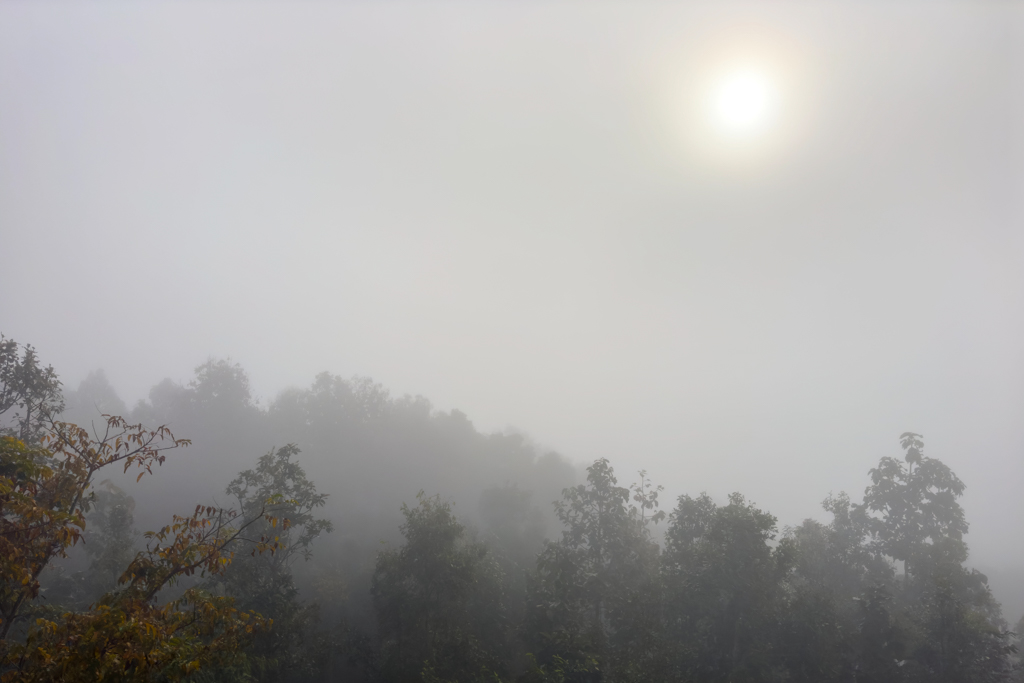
[(340, 534)]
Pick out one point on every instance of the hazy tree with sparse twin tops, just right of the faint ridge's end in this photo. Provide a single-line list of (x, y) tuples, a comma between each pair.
[(595, 593)]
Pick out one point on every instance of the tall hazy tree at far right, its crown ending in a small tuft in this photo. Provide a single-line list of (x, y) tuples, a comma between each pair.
[(953, 627)]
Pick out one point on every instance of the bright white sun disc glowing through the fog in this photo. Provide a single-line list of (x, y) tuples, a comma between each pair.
[(743, 102)]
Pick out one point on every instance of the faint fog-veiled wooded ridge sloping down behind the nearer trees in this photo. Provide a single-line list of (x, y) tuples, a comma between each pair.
[(370, 452)]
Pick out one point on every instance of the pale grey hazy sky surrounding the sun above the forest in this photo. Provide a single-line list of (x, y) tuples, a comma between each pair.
[(524, 211)]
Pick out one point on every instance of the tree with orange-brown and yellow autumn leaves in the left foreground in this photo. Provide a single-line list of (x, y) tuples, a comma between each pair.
[(127, 635)]
